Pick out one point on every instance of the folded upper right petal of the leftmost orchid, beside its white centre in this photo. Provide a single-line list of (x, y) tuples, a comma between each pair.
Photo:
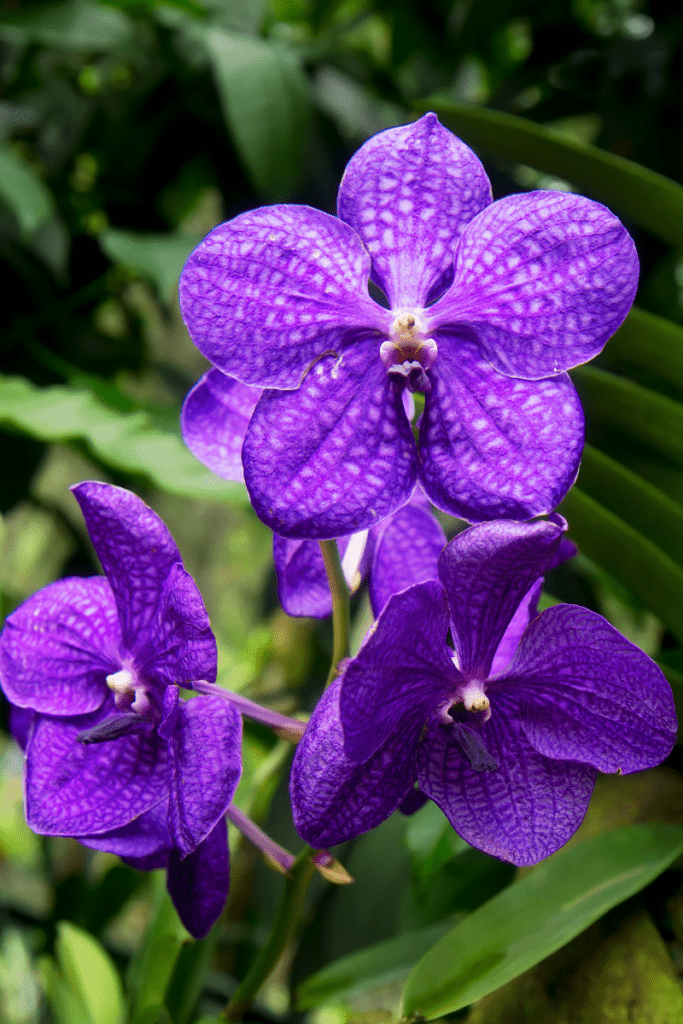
[(180, 647)]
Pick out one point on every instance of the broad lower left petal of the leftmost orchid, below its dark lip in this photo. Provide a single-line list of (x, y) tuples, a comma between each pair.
[(77, 790)]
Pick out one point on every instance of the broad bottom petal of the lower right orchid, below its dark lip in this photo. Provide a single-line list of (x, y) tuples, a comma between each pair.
[(526, 809)]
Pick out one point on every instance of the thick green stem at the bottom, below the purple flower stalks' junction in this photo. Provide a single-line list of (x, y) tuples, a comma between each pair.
[(289, 916)]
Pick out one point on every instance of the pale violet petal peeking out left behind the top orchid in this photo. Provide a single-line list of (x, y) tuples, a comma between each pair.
[(215, 419)]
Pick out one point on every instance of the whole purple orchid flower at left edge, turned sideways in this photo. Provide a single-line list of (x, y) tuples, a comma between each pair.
[(113, 757)]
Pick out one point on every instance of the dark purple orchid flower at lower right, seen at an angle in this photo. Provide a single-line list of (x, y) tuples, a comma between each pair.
[(508, 747)]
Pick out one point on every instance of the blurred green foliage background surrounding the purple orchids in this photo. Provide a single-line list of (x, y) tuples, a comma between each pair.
[(129, 130)]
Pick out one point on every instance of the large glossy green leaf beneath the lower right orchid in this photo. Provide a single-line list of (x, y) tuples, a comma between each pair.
[(536, 916)]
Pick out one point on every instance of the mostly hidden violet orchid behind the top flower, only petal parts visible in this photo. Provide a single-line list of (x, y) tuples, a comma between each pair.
[(399, 552)]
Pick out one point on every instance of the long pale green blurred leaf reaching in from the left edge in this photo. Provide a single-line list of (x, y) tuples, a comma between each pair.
[(136, 443)]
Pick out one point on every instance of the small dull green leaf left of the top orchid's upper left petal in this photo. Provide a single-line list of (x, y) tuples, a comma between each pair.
[(160, 258)]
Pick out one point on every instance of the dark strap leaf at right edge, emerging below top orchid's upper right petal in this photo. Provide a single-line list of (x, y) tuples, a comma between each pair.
[(652, 344)]
